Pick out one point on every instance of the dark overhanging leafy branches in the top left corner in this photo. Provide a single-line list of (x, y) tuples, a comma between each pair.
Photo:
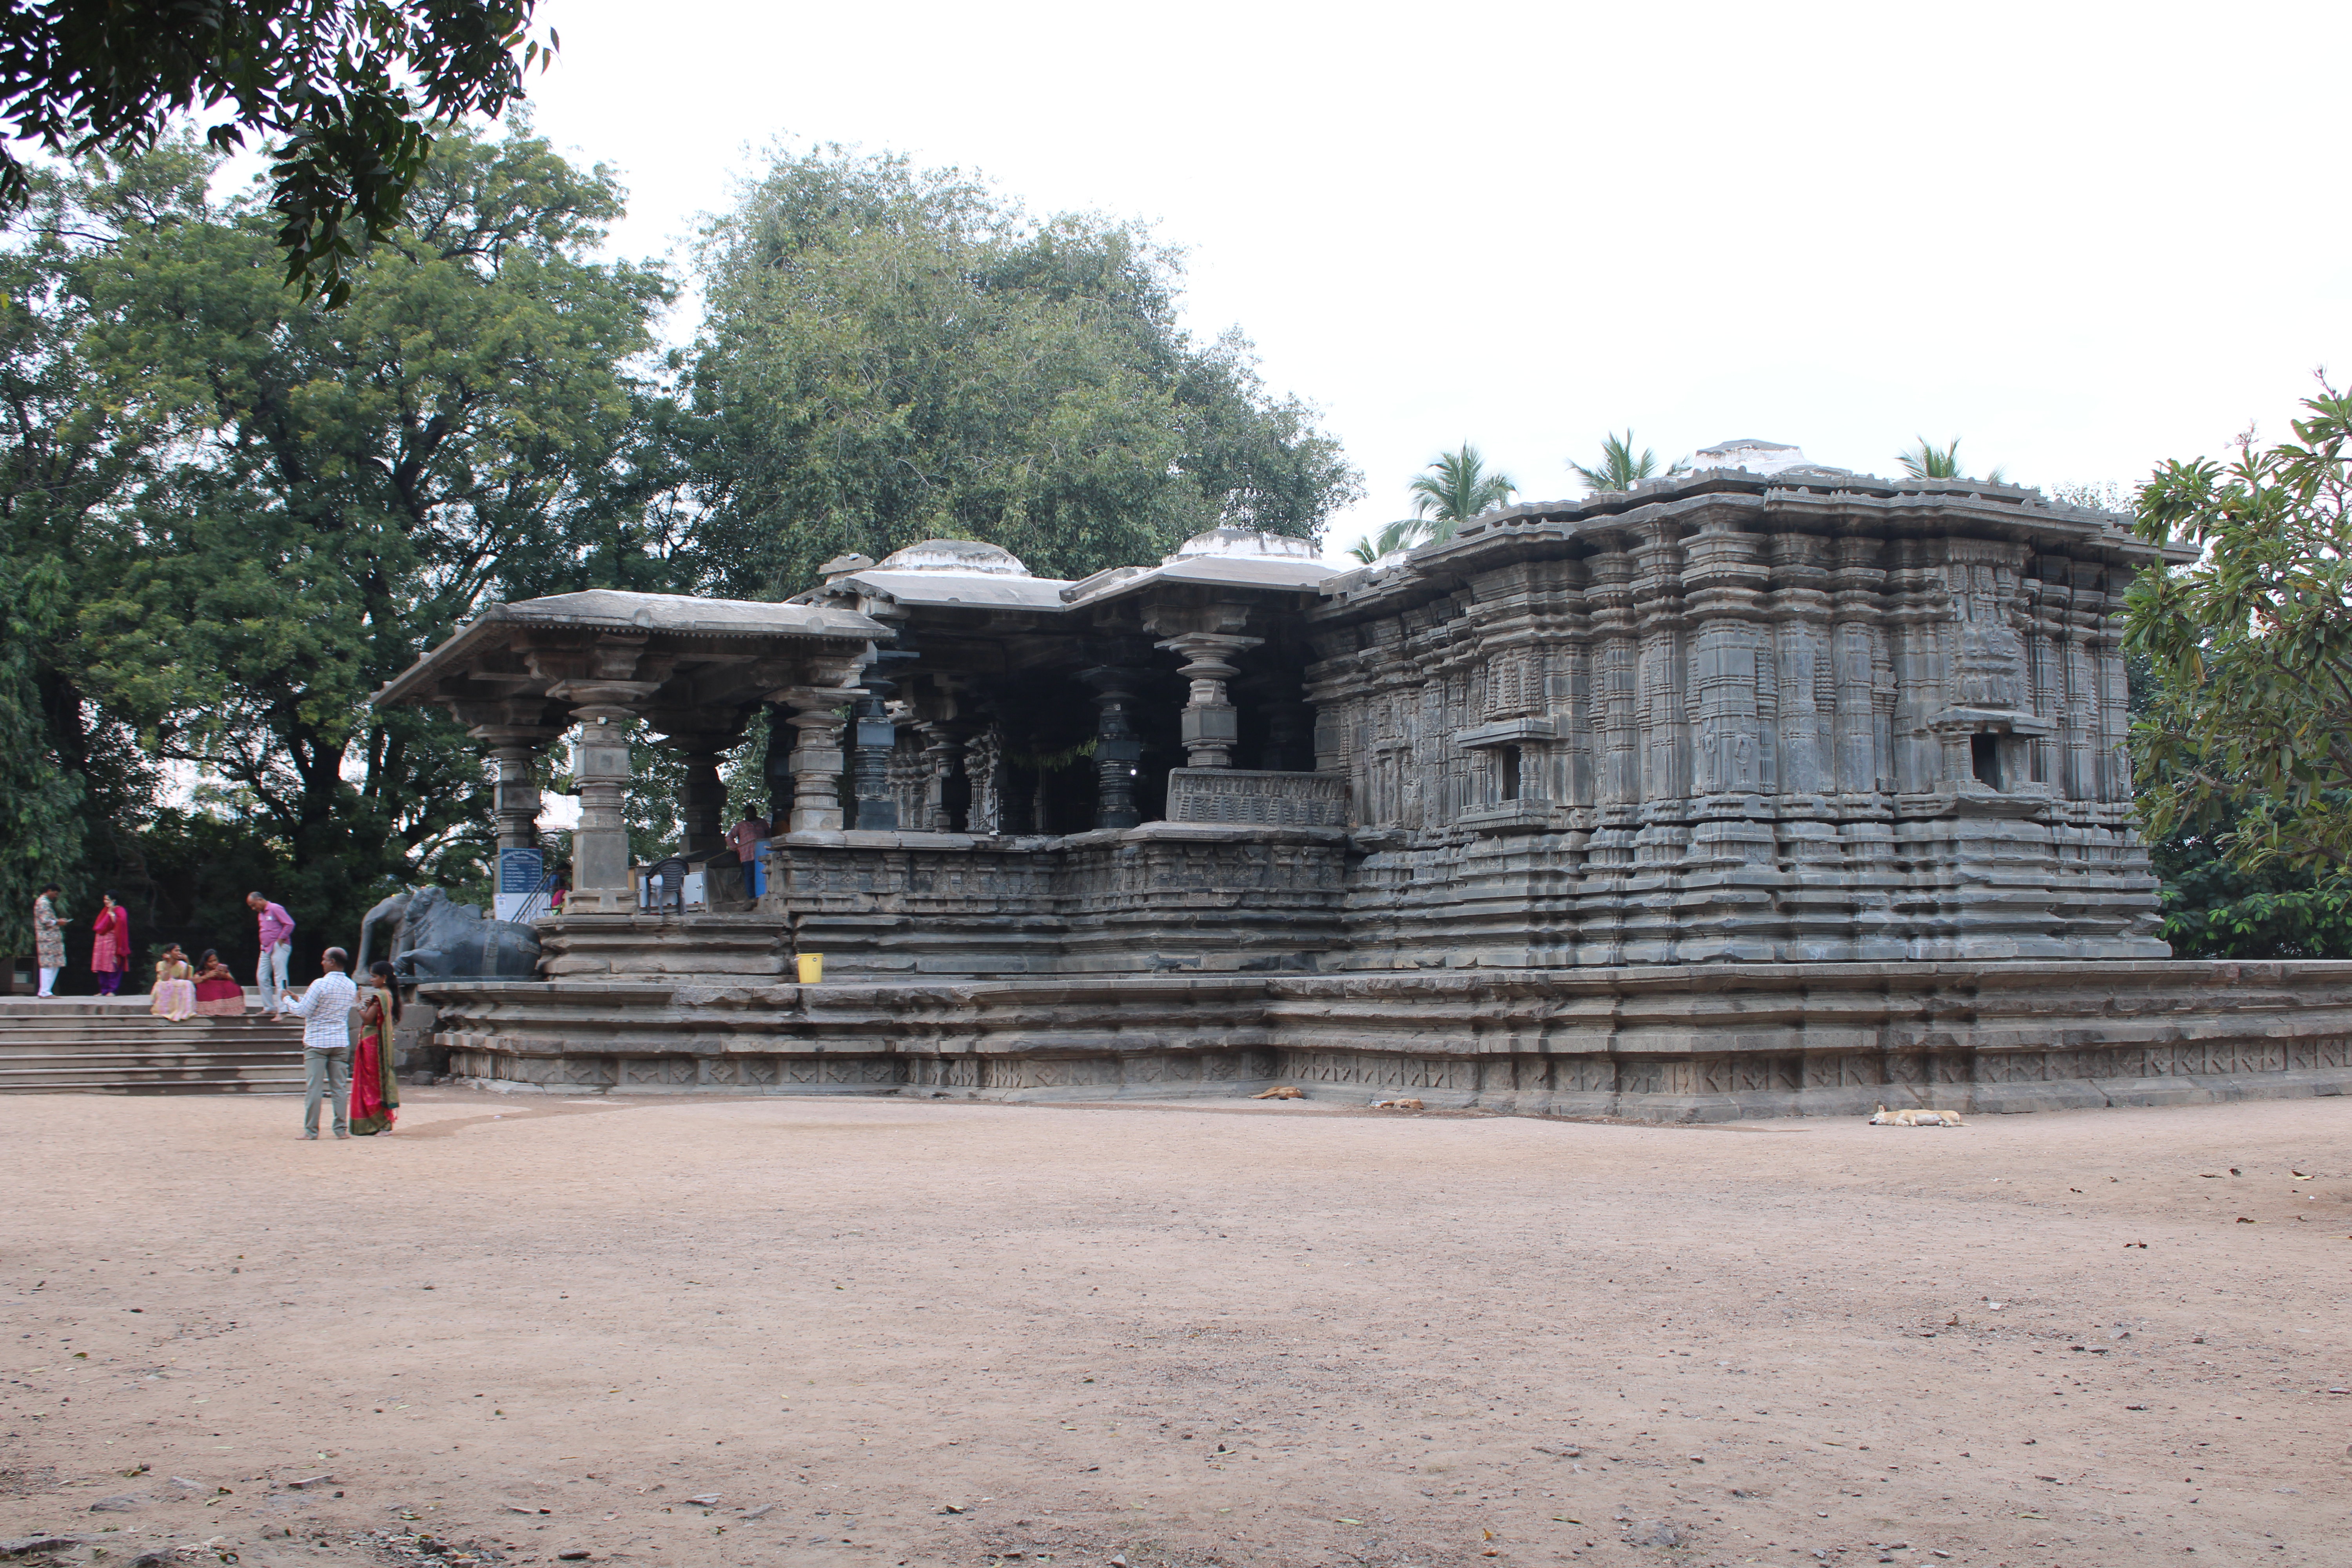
[(349, 93)]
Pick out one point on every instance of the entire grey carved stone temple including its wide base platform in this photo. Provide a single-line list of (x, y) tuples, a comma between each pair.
[(1760, 791)]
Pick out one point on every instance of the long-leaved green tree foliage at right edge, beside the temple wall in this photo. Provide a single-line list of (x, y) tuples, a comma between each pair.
[(2252, 648)]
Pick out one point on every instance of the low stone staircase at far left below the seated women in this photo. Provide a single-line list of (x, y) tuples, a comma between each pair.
[(102, 1045)]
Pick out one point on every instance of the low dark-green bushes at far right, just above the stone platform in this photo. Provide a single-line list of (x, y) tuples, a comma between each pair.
[(2217, 909)]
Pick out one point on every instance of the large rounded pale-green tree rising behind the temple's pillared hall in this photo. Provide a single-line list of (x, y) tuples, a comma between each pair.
[(895, 356)]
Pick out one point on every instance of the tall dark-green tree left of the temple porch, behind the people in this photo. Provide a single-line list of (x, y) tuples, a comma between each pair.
[(340, 490)]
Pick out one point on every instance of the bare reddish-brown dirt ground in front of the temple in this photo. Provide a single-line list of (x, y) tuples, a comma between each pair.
[(890, 1332)]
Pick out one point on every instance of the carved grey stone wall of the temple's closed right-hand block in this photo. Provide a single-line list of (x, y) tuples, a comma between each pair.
[(1742, 725)]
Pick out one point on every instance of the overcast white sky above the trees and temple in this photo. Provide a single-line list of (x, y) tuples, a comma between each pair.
[(2078, 236)]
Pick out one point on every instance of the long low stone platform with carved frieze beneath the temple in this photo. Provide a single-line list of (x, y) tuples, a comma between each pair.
[(1706, 1043)]
